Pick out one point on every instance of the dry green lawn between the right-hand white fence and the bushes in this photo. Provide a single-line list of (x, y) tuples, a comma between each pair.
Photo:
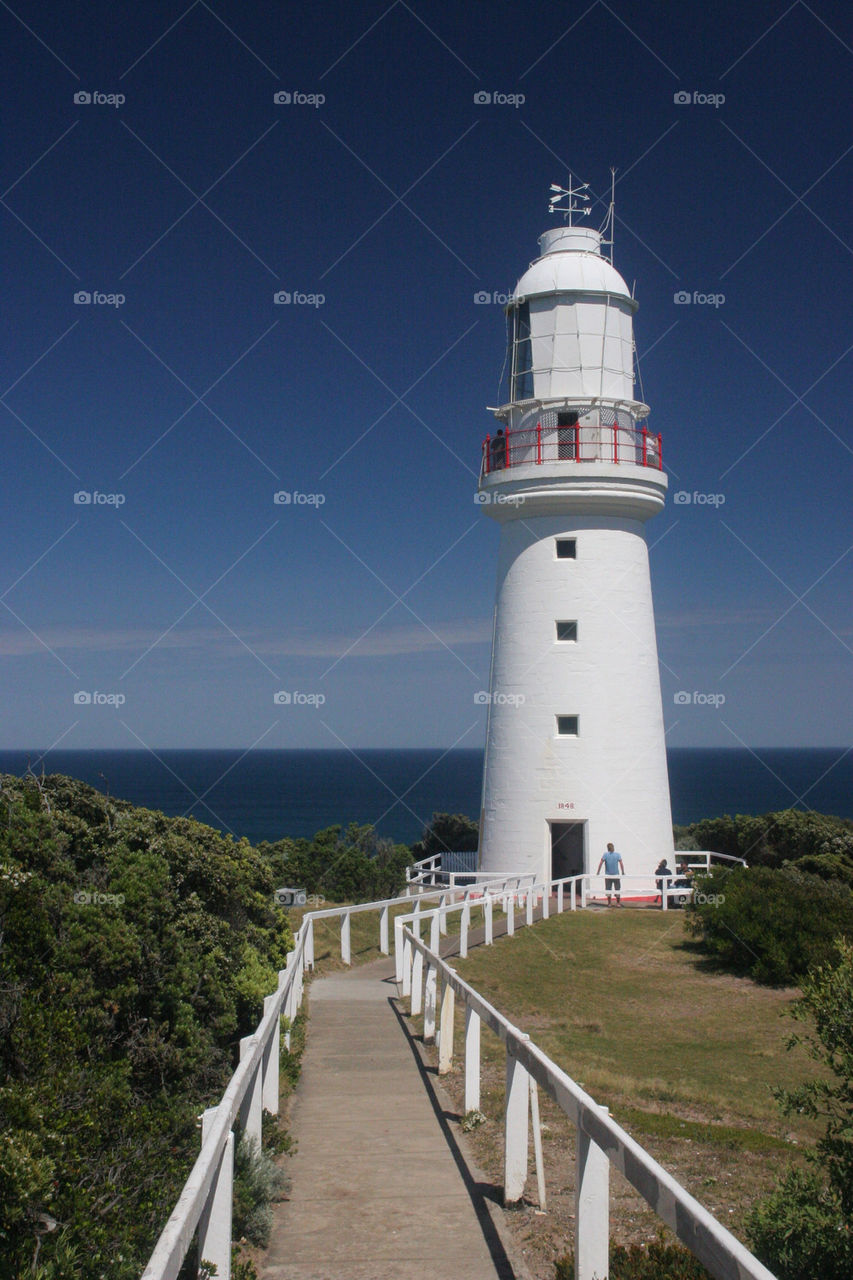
[(622, 1004)]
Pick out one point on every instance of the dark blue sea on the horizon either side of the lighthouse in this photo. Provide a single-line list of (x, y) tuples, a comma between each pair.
[(266, 796)]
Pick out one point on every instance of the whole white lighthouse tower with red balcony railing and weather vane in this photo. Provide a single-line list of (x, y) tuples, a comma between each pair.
[(574, 752)]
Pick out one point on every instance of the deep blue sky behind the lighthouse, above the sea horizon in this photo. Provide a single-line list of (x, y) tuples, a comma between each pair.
[(185, 597)]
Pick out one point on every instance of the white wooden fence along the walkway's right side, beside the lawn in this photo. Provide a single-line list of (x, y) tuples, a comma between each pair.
[(435, 989)]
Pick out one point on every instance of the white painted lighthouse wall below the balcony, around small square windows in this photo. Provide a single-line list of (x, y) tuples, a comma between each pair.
[(615, 772)]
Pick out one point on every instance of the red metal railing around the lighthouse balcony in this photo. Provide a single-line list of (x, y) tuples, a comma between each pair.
[(539, 445)]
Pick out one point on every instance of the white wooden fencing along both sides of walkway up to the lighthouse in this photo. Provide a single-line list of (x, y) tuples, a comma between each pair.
[(206, 1203)]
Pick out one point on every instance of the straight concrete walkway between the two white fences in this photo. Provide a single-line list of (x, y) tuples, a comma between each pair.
[(380, 1188)]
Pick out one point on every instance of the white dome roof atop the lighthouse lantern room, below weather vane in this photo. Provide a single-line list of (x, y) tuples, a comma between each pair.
[(572, 263)]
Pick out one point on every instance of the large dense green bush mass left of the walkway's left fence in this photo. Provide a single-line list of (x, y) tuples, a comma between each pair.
[(136, 950)]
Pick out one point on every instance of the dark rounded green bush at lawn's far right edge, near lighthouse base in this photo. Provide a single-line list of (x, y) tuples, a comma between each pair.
[(773, 925)]
